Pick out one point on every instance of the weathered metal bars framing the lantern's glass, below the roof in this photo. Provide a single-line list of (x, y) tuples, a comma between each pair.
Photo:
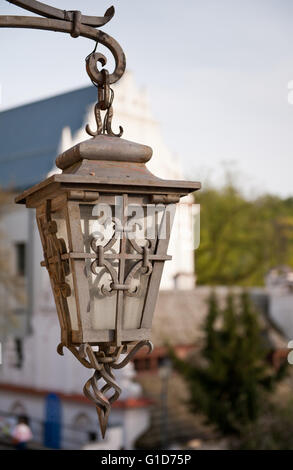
[(76, 255)]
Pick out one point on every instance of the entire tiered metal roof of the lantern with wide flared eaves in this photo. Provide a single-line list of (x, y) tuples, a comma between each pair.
[(107, 164)]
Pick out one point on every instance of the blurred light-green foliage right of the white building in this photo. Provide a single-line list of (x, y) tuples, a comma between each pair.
[(242, 239)]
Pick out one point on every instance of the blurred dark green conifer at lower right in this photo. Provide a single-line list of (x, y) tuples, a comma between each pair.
[(228, 383)]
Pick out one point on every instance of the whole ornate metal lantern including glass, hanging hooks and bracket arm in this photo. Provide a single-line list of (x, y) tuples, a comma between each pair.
[(105, 224)]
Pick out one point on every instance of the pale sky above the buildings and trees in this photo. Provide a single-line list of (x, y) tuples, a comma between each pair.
[(217, 74)]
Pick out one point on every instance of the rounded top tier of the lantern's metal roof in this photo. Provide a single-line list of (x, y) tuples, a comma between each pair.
[(105, 148)]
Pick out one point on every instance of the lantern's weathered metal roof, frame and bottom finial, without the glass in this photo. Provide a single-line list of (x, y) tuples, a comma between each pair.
[(101, 167)]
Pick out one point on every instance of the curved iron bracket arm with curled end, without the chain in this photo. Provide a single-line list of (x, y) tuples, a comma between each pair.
[(74, 23)]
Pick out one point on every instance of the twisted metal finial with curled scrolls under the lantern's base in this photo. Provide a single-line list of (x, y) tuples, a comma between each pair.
[(103, 361)]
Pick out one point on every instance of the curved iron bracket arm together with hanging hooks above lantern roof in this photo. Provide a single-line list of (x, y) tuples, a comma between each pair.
[(76, 24)]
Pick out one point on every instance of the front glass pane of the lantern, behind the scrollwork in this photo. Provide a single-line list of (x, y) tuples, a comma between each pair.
[(123, 228)]
